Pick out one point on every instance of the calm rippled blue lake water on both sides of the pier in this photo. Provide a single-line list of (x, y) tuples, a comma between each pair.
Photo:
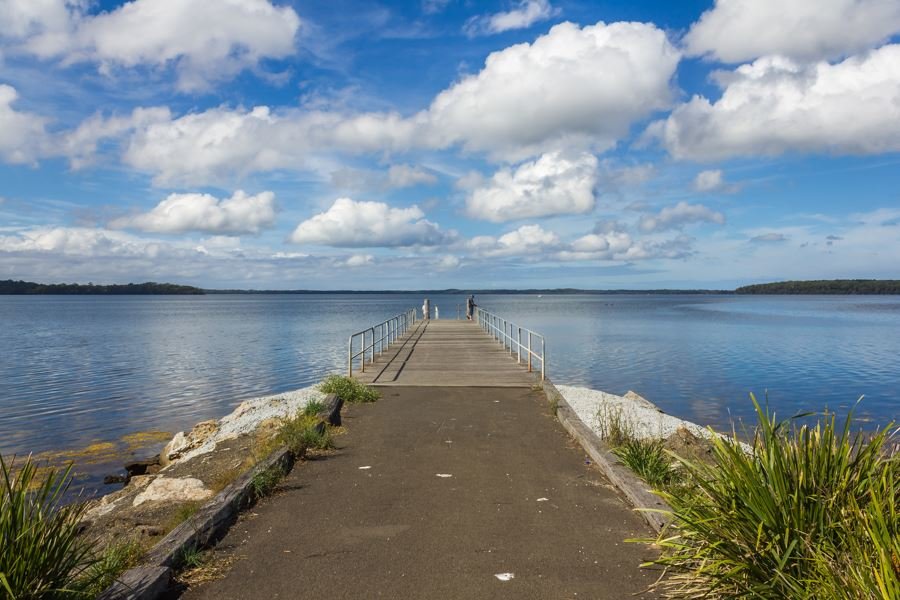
[(76, 370)]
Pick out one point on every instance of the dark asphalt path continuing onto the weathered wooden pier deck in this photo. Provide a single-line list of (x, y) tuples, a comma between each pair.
[(457, 483)]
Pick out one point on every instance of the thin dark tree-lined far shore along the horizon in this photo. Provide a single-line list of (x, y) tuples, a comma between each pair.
[(848, 287)]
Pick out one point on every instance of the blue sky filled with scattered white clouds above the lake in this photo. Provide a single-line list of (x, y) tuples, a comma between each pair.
[(427, 144)]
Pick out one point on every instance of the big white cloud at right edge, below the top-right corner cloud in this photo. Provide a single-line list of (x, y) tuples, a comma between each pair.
[(775, 105)]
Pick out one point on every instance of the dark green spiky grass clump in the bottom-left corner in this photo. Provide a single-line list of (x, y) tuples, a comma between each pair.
[(41, 554)]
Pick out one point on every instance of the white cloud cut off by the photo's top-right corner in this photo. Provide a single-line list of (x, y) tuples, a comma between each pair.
[(742, 30)]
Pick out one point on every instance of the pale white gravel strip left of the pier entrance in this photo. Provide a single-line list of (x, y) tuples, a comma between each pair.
[(250, 413)]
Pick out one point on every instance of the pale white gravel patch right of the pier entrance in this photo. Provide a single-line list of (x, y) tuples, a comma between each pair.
[(641, 416)]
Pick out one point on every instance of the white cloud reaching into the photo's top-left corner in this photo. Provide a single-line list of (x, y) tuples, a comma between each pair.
[(205, 40)]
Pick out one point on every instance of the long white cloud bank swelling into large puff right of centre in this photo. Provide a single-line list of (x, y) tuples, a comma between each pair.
[(585, 88)]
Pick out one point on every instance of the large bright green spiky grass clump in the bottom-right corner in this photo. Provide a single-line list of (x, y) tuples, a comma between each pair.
[(810, 513)]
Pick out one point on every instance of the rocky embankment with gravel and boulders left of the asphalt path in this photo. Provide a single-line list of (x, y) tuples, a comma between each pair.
[(195, 465)]
